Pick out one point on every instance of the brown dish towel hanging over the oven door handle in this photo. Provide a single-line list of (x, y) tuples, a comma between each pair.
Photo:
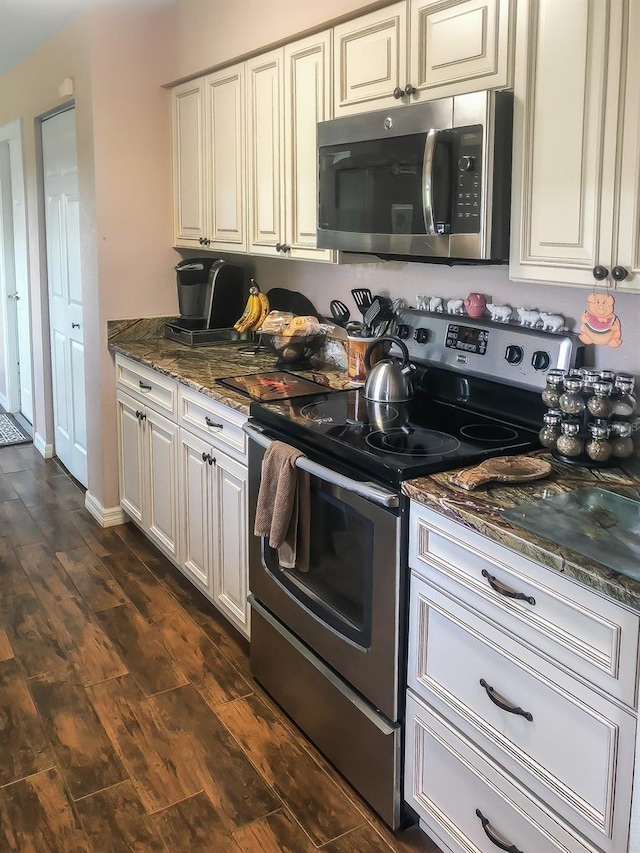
[(283, 506)]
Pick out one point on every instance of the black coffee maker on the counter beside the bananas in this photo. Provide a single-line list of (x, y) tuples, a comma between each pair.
[(211, 297)]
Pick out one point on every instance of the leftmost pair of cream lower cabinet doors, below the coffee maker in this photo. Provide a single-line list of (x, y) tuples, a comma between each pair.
[(148, 459)]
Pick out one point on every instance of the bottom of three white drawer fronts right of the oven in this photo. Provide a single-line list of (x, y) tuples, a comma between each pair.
[(453, 787)]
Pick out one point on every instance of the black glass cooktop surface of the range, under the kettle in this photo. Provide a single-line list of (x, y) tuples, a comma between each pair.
[(391, 442)]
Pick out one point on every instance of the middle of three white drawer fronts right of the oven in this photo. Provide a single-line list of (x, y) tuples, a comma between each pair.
[(571, 747)]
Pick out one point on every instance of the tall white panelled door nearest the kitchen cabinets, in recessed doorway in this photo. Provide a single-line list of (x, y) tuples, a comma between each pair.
[(60, 170)]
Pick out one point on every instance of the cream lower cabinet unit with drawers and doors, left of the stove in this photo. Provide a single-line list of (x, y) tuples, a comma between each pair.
[(183, 480)]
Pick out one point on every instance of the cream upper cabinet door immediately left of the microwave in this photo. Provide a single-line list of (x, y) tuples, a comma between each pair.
[(307, 79)]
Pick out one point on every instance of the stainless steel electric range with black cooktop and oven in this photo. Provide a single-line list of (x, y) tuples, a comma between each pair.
[(328, 643)]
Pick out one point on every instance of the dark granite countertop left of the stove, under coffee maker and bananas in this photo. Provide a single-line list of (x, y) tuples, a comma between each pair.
[(200, 367)]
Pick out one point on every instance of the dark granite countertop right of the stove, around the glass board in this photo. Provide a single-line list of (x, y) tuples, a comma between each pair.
[(481, 510)]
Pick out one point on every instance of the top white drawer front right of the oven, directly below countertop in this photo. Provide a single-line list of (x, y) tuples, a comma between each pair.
[(585, 632)]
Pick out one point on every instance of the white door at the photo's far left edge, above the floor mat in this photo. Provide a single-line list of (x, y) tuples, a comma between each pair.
[(16, 391)]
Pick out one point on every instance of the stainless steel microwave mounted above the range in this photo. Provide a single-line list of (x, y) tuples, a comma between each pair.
[(431, 180)]
